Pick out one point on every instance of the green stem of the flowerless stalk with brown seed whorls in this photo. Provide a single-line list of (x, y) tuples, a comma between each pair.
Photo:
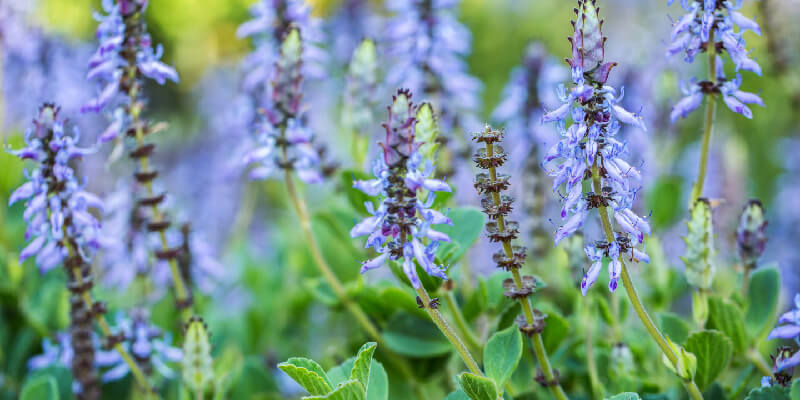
[(524, 301)]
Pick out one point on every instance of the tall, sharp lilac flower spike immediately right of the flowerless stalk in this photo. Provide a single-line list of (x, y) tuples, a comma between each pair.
[(589, 149)]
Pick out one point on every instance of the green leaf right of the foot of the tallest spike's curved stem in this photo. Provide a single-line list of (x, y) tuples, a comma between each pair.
[(713, 351)]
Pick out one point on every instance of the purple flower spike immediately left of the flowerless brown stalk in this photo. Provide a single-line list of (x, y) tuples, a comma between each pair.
[(401, 226)]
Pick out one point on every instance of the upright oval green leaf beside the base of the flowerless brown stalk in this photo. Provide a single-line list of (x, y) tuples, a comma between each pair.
[(502, 354)]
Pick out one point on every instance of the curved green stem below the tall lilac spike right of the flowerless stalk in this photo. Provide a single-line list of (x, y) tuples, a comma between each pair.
[(651, 328)]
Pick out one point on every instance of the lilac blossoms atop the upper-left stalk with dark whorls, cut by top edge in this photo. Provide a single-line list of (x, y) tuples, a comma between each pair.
[(110, 64)]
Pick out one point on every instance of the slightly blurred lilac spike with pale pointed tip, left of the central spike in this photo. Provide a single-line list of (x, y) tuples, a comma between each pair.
[(283, 141)]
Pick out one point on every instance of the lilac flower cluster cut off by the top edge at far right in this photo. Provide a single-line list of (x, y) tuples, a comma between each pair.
[(709, 26)]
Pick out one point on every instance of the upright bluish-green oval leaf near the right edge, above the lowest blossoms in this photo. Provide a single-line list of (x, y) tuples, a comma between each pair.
[(762, 298)]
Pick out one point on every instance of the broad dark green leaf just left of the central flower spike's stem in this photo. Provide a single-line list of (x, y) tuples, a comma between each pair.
[(414, 337)]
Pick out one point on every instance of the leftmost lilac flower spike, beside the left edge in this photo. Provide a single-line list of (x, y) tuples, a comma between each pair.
[(57, 208)]
